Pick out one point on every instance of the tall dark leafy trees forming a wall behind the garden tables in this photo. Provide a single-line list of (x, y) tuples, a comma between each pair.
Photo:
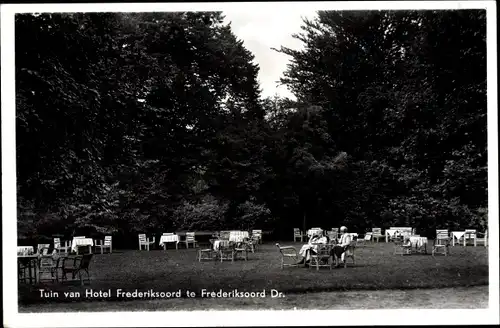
[(153, 122)]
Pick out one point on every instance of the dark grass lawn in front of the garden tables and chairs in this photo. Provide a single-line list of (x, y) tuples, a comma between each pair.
[(376, 269)]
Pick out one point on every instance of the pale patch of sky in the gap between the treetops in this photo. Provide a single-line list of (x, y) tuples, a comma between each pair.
[(262, 30)]
